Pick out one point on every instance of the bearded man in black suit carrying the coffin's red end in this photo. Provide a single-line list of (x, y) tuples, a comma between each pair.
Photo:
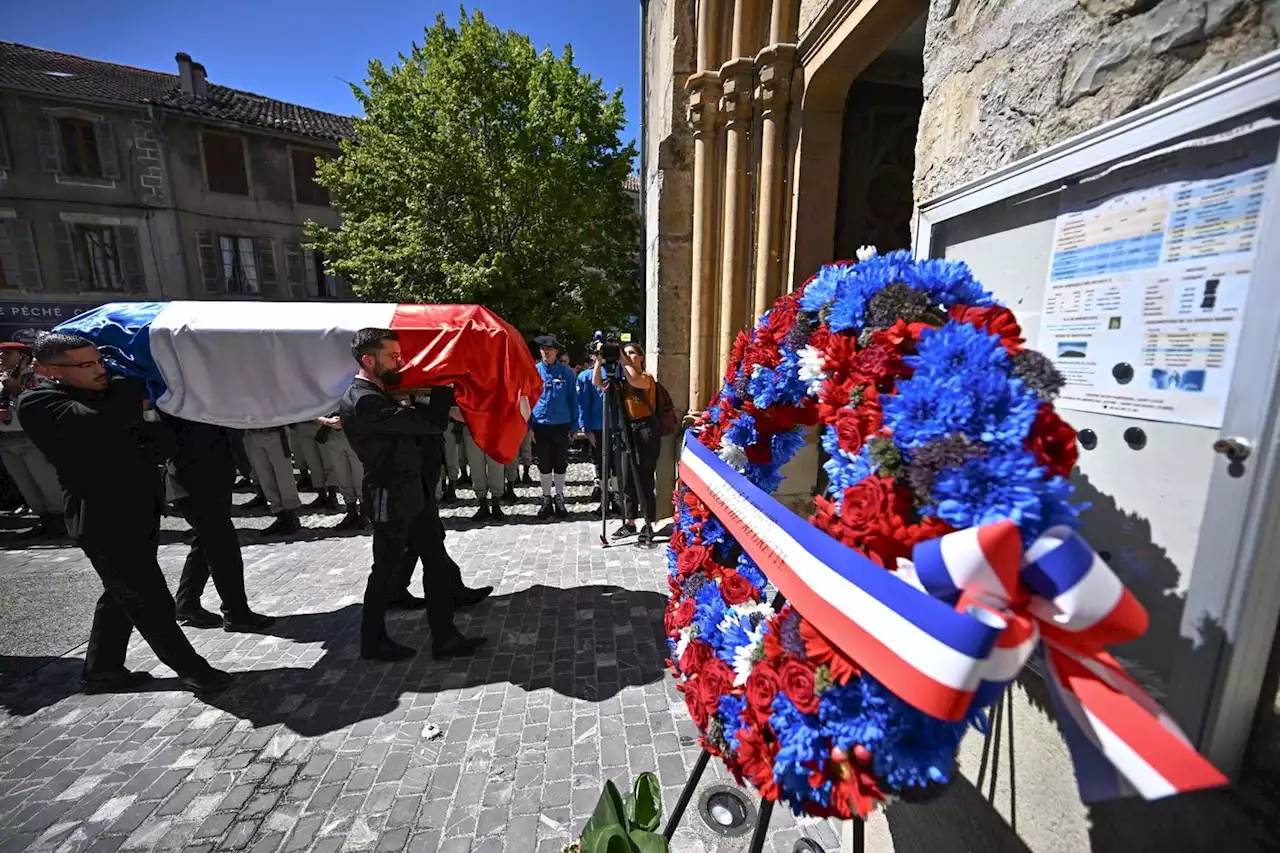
[(387, 437)]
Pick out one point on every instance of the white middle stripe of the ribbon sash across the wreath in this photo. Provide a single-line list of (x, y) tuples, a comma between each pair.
[(925, 653)]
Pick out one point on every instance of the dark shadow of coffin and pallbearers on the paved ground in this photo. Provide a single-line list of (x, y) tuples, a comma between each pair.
[(586, 642)]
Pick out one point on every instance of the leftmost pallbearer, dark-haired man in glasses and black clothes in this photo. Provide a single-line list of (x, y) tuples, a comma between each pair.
[(102, 439)]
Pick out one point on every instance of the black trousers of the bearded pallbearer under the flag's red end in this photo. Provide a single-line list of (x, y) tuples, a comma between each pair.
[(392, 542)]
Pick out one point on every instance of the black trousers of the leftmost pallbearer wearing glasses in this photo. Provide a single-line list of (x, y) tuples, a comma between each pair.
[(122, 548)]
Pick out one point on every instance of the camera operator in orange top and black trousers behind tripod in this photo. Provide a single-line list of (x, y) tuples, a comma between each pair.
[(639, 399)]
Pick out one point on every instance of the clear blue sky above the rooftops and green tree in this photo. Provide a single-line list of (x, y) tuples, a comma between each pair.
[(303, 52)]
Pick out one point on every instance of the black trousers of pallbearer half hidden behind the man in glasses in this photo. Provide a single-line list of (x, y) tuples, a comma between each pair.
[(214, 553)]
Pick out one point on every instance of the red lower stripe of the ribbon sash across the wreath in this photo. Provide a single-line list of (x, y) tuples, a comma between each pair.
[(902, 678)]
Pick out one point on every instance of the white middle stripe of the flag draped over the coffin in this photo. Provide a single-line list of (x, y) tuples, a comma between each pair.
[(258, 364)]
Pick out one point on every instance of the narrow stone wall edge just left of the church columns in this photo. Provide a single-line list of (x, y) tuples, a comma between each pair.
[(669, 181)]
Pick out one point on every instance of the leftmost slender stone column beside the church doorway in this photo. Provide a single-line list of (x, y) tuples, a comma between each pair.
[(705, 93)]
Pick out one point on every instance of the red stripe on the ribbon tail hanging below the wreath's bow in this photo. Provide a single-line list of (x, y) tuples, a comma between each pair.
[(1169, 756)]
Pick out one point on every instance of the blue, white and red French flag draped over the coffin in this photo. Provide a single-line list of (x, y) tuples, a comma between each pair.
[(269, 364)]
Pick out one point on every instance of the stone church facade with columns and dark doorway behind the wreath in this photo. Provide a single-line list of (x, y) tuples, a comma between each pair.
[(781, 135)]
